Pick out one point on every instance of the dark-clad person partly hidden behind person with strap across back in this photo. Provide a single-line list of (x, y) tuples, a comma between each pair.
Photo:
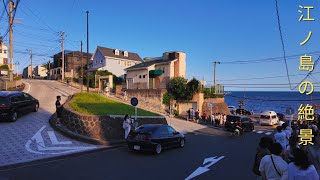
[(262, 150)]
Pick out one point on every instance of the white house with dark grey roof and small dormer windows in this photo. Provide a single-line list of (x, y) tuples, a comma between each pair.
[(113, 60)]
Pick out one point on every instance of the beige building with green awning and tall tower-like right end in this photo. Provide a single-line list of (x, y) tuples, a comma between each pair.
[(155, 73)]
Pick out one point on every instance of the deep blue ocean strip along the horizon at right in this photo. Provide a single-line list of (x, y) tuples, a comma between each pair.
[(258, 101)]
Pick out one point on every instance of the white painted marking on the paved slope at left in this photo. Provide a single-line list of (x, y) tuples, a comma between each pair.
[(38, 140)]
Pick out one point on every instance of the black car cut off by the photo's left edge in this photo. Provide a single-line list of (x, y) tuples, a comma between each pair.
[(14, 104)]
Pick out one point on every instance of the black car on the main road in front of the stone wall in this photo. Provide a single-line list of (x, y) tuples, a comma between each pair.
[(155, 138)]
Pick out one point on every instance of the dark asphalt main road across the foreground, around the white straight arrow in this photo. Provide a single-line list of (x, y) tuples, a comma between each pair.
[(120, 163)]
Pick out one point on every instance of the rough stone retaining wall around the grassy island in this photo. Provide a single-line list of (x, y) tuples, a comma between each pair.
[(102, 127)]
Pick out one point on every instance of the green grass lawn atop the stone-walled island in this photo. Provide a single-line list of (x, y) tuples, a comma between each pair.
[(96, 104)]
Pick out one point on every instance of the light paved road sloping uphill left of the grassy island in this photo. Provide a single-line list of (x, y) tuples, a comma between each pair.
[(31, 138)]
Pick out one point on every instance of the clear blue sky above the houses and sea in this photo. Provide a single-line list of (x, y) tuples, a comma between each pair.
[(226, 31)]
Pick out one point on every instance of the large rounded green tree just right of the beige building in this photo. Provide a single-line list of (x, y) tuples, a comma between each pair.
[(177, 88)]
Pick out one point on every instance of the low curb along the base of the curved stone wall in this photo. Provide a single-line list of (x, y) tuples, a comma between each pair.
[(82, 138)]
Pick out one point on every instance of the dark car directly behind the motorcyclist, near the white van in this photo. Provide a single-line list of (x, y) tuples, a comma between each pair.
[(246, 122)]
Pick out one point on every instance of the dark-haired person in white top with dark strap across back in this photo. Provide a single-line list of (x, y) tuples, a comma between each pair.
[(273, 166)]
